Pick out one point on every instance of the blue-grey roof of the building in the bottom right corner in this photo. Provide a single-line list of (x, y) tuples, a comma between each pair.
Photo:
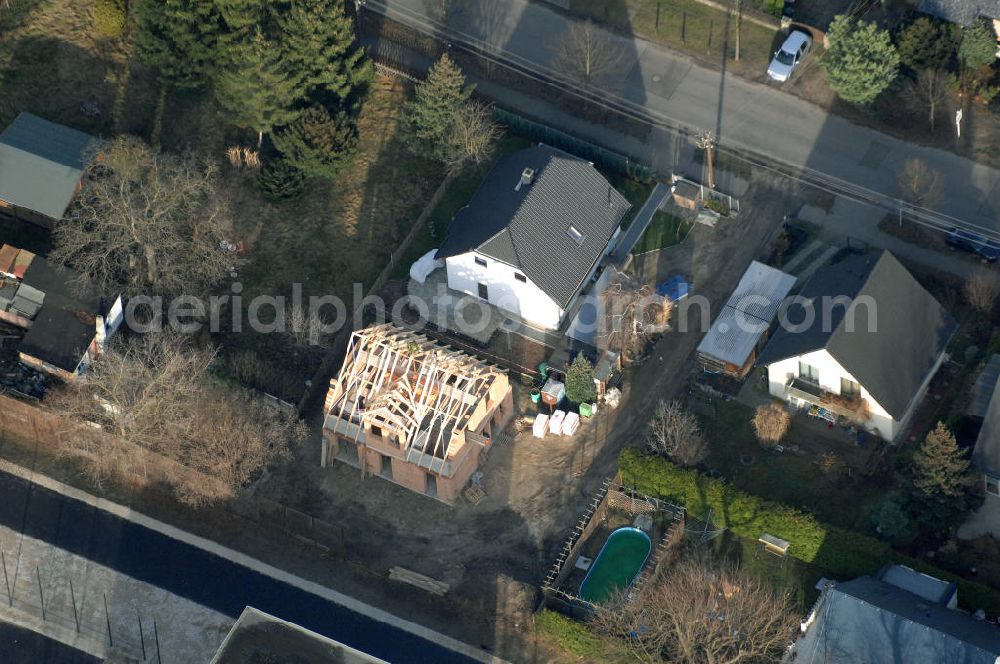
[(868, 620)]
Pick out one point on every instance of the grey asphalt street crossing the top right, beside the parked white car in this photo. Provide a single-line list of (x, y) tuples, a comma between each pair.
[(749, 116)]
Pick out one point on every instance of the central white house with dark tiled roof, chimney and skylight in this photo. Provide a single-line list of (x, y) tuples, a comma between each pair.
[(534, 234)]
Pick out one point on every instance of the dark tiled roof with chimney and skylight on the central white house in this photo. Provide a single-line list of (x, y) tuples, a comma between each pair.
[(528, 228)]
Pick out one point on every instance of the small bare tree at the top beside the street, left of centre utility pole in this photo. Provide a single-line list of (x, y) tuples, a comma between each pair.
[(588, 53)]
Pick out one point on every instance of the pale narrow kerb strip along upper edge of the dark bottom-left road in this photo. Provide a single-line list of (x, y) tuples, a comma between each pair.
[(233, 556)]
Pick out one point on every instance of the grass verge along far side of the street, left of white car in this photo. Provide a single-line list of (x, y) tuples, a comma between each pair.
[(686, 25)]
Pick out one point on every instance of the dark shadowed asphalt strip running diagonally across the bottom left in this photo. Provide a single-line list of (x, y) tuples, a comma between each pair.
[(197, 575)]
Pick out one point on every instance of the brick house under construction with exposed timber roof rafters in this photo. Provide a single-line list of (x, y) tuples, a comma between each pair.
[(413, 411)]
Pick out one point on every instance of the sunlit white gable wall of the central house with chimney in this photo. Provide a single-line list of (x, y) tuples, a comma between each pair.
[(522, 298)]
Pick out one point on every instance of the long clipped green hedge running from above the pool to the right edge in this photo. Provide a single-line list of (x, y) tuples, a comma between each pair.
[(839, 552)]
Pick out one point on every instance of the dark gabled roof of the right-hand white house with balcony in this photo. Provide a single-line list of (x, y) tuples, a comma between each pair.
[(909, 329)]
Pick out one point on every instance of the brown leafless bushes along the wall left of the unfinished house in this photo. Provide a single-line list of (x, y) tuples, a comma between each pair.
[(151, 394)]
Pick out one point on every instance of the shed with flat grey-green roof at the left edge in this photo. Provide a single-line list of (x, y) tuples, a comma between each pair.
[(41, 164)]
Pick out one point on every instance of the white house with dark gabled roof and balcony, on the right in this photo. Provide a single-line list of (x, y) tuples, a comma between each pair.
[(865, 333)]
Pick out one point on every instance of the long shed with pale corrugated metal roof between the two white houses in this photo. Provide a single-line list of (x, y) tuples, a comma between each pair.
[(747, 315)]
